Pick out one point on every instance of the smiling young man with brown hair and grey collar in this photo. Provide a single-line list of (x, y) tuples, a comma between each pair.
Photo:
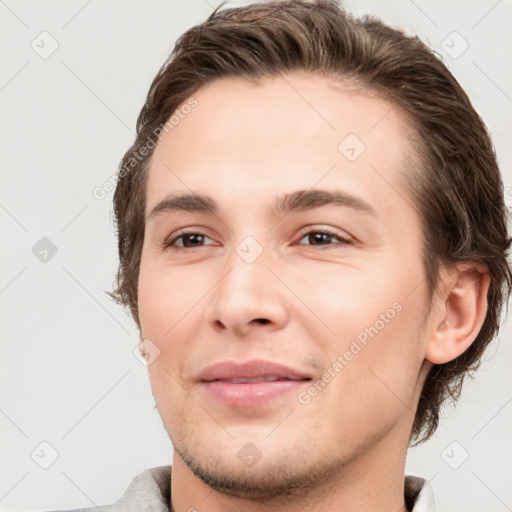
[(313, 244)]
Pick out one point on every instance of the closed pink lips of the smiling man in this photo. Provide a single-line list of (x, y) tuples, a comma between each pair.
[(215, 381)]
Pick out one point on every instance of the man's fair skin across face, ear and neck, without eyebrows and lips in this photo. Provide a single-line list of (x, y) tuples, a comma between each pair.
[(243, 145)]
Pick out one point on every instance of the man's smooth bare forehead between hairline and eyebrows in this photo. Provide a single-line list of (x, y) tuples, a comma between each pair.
[(281, 134)]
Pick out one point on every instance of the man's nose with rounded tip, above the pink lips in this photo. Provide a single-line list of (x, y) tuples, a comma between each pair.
[(248, 296)]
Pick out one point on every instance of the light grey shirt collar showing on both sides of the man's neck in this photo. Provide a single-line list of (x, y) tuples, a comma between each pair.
[(150, 491)]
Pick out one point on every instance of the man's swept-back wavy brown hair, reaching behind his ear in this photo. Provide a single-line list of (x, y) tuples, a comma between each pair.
[(458, 193)]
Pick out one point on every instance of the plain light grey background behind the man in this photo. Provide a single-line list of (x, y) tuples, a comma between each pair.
[(68, 373)]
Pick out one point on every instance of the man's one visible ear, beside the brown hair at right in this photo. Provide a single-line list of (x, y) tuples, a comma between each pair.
[(461, 310)]
